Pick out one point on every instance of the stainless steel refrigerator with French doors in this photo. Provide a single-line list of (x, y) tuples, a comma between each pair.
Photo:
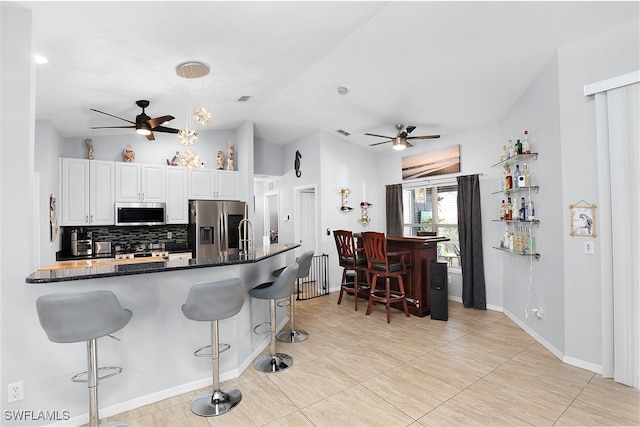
[(213, 227)]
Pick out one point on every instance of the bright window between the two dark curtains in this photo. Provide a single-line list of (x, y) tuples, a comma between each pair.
[(434, 208)]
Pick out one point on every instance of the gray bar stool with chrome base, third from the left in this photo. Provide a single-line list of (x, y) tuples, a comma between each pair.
[(281, 288)]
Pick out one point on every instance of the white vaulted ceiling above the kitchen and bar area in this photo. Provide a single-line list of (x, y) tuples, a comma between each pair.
[(441, 66)]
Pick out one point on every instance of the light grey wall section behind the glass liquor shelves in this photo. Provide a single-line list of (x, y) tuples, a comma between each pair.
[(531, 284)]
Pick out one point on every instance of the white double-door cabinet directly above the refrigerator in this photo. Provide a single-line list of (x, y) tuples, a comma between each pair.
[(212, 184)]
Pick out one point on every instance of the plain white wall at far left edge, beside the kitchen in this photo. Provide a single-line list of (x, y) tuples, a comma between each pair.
[(17, 240)]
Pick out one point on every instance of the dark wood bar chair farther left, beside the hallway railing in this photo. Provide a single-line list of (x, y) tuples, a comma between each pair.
[(351, 259)]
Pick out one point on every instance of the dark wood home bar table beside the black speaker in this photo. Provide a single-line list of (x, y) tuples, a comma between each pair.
[(417, 281)]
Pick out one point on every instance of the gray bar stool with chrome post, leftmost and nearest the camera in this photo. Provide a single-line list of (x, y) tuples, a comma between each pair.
[(85, 316)]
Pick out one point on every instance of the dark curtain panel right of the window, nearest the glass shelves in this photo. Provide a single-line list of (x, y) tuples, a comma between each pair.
[(470, 230)]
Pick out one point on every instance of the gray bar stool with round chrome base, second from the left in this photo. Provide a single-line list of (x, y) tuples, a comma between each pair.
[(211, 302)]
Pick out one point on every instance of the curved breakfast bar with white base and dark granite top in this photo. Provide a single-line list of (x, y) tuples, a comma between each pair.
[(156, 347)]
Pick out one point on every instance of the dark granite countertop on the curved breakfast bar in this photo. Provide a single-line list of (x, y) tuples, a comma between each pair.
[(123, 269)]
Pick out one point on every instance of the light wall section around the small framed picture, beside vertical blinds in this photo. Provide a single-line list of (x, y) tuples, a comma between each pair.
[(600, 57)]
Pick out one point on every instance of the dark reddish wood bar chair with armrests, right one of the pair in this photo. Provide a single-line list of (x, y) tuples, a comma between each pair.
[(381, 263)]
